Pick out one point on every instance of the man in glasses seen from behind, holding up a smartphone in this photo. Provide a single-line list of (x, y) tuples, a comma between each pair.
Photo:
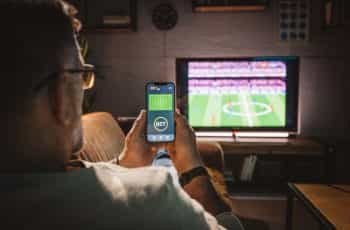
[(44, 77)]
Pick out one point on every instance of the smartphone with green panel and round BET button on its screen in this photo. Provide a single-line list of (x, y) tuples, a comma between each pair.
[(160, 104)]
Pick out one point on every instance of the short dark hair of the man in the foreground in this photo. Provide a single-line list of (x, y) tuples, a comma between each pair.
[(34, 32)]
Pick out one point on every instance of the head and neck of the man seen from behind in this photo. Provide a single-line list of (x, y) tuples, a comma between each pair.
[(42, 85)]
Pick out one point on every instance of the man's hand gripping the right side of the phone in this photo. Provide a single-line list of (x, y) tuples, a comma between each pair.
[(183, 151)]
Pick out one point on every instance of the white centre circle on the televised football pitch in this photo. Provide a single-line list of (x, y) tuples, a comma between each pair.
[(229, 108)]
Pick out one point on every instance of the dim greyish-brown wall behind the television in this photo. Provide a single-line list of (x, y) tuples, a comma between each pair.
[(132, 59)]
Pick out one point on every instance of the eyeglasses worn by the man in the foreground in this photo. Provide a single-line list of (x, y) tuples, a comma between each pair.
[(87, 72)]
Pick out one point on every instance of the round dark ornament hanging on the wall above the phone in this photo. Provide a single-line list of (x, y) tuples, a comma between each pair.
[(164, 17)]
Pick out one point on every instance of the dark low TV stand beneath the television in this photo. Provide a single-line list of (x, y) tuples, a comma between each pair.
[(299, 160)]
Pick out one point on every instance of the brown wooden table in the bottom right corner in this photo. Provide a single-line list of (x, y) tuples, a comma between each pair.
[(329, 204)]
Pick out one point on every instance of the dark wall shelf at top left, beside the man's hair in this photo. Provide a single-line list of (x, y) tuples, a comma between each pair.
[(107, 14)]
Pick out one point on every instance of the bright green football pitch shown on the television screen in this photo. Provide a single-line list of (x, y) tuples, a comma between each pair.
[(237, 110)]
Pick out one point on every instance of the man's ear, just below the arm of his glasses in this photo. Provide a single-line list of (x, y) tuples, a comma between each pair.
[(60, 102)]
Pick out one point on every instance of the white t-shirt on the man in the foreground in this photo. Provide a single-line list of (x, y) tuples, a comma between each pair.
[(101, 196)]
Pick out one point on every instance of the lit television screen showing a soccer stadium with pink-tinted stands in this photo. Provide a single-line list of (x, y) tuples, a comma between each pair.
[(237, 94)]
